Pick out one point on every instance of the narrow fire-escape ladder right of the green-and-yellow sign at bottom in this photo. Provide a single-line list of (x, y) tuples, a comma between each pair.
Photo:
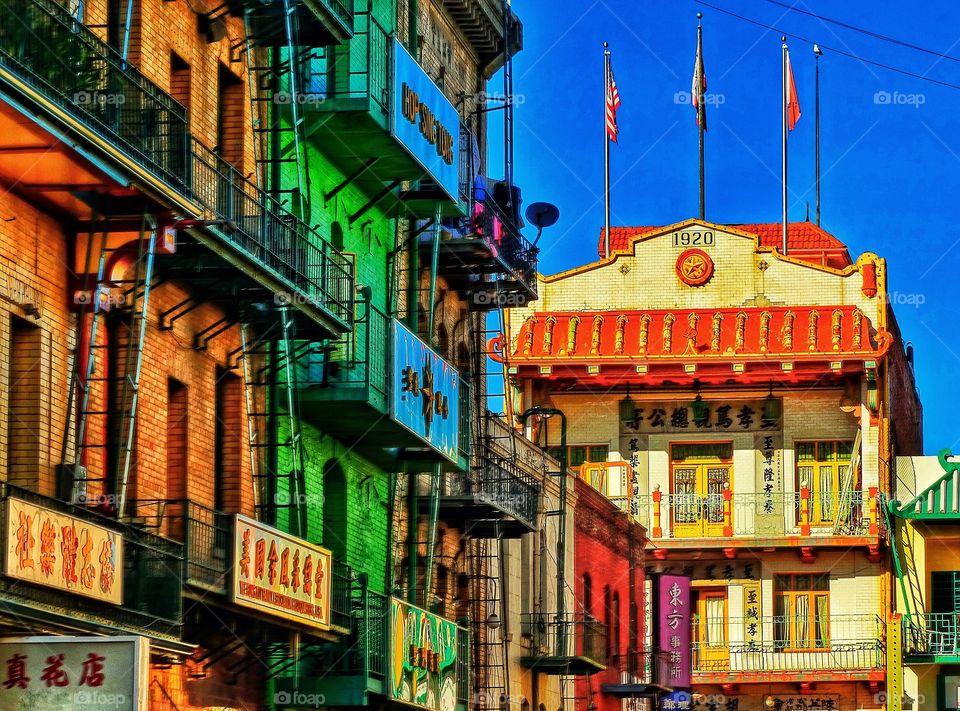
[(490, 645)]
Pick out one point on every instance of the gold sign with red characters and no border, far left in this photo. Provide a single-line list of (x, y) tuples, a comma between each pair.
[(65, 552)]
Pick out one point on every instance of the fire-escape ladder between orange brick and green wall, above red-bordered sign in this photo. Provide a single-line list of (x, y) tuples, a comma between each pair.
[(273, 451)]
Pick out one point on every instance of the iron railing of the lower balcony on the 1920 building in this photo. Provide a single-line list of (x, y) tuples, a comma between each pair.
[(839, 643)]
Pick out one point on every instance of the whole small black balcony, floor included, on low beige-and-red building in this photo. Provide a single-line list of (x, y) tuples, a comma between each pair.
[(573, 644)]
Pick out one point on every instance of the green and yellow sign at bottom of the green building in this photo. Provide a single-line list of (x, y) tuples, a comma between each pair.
[(423, 658)]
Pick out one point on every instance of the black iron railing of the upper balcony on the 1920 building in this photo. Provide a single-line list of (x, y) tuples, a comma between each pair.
[(756, 515)]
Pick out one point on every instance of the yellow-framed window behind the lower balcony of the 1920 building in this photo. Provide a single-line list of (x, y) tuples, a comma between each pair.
[(803, 612)]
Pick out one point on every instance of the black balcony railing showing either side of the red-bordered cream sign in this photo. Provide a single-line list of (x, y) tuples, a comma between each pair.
[(207, 538)]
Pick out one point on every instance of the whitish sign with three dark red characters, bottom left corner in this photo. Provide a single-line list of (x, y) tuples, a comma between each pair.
[(74, 672)]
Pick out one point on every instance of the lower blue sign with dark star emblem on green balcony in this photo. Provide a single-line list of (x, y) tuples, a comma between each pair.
[(426, 392)]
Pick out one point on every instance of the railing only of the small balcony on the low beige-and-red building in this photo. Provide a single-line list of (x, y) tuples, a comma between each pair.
[(565, 637)]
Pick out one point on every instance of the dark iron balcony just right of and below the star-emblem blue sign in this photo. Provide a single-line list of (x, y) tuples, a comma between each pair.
[(497, 498)]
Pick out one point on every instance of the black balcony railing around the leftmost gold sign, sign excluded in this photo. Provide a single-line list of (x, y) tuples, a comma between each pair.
[(151, 573)]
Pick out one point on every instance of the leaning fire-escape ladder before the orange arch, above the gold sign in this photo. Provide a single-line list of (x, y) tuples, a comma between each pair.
[(124, 375)]
